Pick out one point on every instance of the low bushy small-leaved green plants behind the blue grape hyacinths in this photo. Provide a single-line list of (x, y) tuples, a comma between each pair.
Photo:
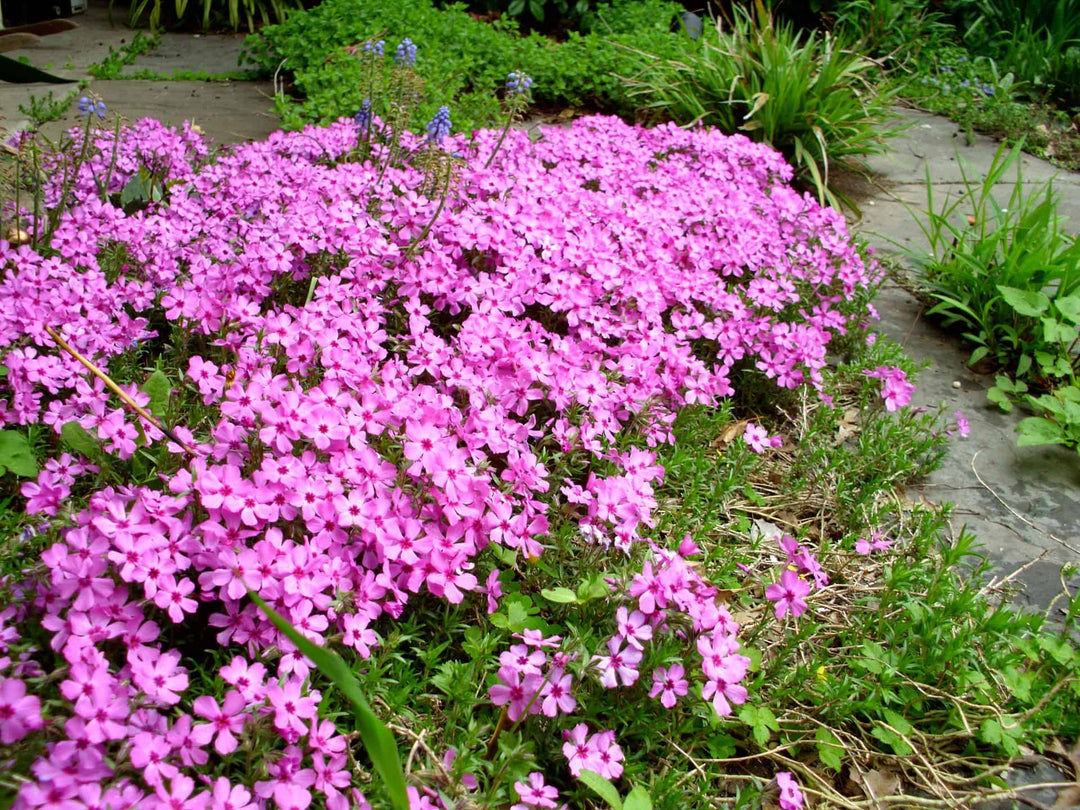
[(463, 62)]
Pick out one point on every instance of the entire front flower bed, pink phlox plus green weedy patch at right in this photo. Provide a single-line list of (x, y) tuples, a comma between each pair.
[(570, 521)]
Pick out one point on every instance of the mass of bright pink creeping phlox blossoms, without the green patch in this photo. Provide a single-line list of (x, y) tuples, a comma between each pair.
[(379, 403)]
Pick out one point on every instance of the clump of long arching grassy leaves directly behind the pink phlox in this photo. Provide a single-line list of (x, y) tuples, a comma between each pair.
[(811, 97)]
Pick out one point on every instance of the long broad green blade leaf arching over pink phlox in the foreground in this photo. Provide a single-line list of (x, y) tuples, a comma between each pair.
[(376, 737)]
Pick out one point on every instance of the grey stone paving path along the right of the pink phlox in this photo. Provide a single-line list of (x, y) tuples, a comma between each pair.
[(1023, 503)]
